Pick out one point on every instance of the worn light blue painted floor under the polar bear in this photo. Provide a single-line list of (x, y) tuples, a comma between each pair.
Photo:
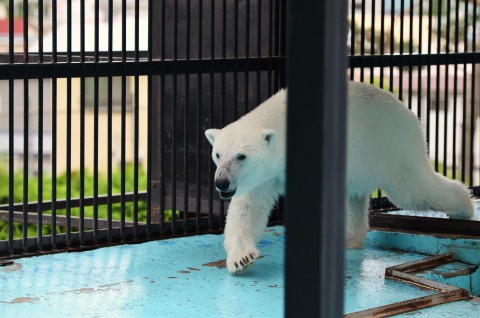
[(185, 277)]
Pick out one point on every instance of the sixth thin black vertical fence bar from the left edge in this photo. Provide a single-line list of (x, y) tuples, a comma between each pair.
[(82, 130)]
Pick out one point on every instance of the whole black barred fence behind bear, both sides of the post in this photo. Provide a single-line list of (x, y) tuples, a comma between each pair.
[(103, 106)]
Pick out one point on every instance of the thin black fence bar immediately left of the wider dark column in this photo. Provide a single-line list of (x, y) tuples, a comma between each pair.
[(136, 105)]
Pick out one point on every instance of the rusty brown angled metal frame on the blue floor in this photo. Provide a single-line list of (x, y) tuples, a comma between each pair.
[(404, 273)]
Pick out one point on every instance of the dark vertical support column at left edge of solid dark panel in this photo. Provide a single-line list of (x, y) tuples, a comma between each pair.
[(155, 118)]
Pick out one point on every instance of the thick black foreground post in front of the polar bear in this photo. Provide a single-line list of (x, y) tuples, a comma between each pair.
[(316, 100)]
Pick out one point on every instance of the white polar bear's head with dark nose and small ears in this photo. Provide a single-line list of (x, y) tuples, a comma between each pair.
[(243, 158)]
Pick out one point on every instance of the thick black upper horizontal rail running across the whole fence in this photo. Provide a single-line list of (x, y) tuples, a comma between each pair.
[(117, 67)]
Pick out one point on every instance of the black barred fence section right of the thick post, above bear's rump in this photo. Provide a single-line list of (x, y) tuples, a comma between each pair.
[(425, 52)]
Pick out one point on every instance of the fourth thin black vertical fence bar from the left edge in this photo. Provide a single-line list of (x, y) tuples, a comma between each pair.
[(54, 128)]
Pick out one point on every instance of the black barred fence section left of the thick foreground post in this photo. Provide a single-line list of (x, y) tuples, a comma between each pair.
[(107, 102)]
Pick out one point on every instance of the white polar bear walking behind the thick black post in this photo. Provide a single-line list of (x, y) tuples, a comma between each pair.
[(385, 149)]
